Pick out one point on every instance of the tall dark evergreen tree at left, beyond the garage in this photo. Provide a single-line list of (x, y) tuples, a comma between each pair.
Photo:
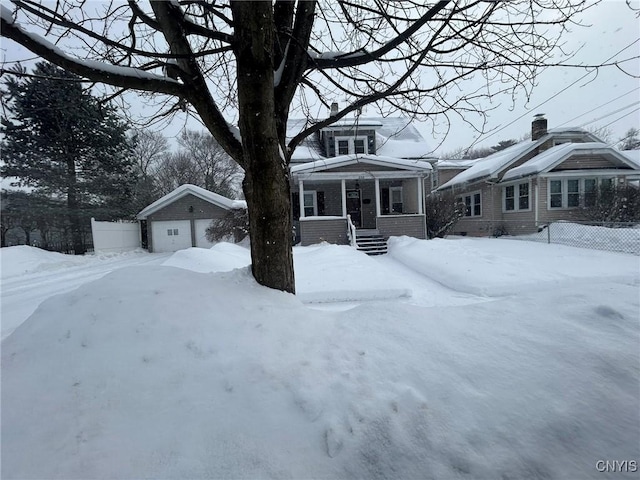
[(64, 143)]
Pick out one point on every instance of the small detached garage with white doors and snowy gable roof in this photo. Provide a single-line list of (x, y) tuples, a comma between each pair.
[(179, 219)]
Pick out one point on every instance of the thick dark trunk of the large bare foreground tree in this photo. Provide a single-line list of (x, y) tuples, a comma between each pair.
[(266, 183)]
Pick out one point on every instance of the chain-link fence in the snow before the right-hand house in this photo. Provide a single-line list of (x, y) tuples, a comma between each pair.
[(611, 236)]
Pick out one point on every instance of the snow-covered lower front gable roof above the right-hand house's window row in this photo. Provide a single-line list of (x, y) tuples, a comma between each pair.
[(556, 155)]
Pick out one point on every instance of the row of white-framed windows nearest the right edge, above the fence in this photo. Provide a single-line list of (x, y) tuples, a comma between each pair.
[(573, 192)]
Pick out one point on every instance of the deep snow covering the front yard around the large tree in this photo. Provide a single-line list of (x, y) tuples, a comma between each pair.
[(465, 358)]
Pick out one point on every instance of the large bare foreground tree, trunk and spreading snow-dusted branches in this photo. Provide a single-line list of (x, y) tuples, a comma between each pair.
[(250, 59)]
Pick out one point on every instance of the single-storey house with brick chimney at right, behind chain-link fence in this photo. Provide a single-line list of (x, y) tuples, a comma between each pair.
[(545, 179)]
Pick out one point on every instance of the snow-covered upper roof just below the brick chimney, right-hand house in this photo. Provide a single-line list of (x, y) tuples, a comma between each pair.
[(489, 167)]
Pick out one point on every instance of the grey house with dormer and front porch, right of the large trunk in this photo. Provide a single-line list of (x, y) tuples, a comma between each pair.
[(359, 177)]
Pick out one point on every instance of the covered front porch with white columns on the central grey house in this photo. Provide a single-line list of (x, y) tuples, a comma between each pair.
[(337, 200)]
